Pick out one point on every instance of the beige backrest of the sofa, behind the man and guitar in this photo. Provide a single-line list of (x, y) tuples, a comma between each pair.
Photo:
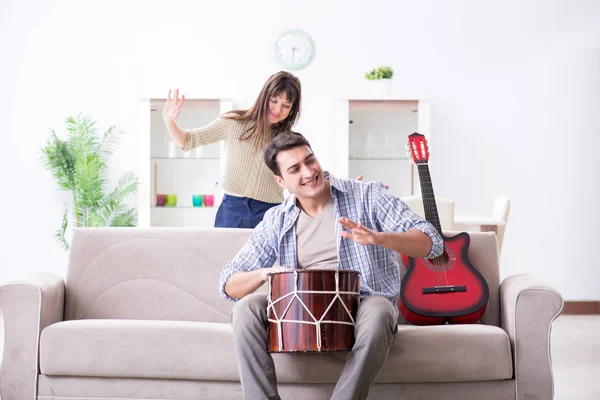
[(173, 273)]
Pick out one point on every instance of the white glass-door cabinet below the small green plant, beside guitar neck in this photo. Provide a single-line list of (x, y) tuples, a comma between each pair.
[(371, 136)]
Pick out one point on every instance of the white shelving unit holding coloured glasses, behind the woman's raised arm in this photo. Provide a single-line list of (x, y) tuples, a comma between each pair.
[(182, 174)]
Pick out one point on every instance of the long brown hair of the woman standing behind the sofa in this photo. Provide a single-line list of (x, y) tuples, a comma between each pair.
[(258, 114)]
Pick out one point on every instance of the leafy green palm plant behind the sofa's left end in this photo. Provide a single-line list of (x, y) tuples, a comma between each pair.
[(78, 164)]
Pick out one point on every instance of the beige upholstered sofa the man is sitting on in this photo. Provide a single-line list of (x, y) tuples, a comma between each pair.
[(139, 317)]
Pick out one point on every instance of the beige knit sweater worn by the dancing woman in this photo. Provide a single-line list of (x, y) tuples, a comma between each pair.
[(245, 171)]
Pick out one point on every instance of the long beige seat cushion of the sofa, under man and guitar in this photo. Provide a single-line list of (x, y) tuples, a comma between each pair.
[(204, 351)]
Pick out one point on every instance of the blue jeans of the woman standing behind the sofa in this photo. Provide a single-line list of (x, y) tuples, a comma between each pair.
[(240, 212)]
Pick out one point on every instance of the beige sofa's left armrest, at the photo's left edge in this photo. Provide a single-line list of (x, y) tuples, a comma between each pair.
[(26, 307)]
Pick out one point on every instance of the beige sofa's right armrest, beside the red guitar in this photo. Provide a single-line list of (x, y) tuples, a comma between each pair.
[(527, 308)]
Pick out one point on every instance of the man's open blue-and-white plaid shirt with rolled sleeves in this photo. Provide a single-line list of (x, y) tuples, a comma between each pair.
[(368, 203)]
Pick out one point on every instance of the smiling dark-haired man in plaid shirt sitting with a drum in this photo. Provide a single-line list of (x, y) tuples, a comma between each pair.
[(306, 231)]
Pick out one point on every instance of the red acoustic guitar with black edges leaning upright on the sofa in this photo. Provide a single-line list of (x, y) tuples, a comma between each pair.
[(446, 288)]
